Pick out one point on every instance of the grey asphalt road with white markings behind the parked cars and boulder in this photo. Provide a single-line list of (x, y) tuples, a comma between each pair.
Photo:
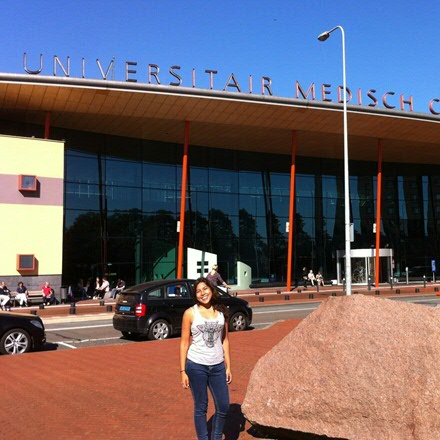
[(94, 331)]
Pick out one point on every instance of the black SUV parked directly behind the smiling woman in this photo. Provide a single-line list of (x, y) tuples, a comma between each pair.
[(156, 308)]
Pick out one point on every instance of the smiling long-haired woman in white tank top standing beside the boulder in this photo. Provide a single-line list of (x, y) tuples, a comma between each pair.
[(204, 358)]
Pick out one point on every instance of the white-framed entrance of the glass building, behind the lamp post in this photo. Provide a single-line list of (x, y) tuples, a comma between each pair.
[(363, 265)]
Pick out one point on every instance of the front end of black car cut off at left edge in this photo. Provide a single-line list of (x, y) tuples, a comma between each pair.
[(20, 333)]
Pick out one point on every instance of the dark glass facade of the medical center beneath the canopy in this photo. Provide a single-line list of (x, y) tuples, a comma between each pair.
[(122, 203)]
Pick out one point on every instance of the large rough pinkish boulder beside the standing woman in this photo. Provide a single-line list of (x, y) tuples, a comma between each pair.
[(358, 367)]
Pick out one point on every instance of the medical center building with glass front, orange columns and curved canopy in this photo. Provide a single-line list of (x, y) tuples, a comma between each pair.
[(130, 149)]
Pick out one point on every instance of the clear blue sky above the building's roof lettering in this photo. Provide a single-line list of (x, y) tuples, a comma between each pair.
[(390, 45)]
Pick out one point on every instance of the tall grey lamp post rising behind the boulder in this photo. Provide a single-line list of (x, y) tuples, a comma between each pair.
[(324, 37)]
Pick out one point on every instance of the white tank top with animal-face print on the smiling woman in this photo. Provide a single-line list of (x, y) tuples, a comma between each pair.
[(207, 346)]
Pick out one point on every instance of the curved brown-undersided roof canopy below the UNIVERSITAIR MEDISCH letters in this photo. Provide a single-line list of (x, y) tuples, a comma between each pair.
[(219, 119)]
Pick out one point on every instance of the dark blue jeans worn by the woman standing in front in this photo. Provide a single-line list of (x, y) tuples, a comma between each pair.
[(202, 377)]
